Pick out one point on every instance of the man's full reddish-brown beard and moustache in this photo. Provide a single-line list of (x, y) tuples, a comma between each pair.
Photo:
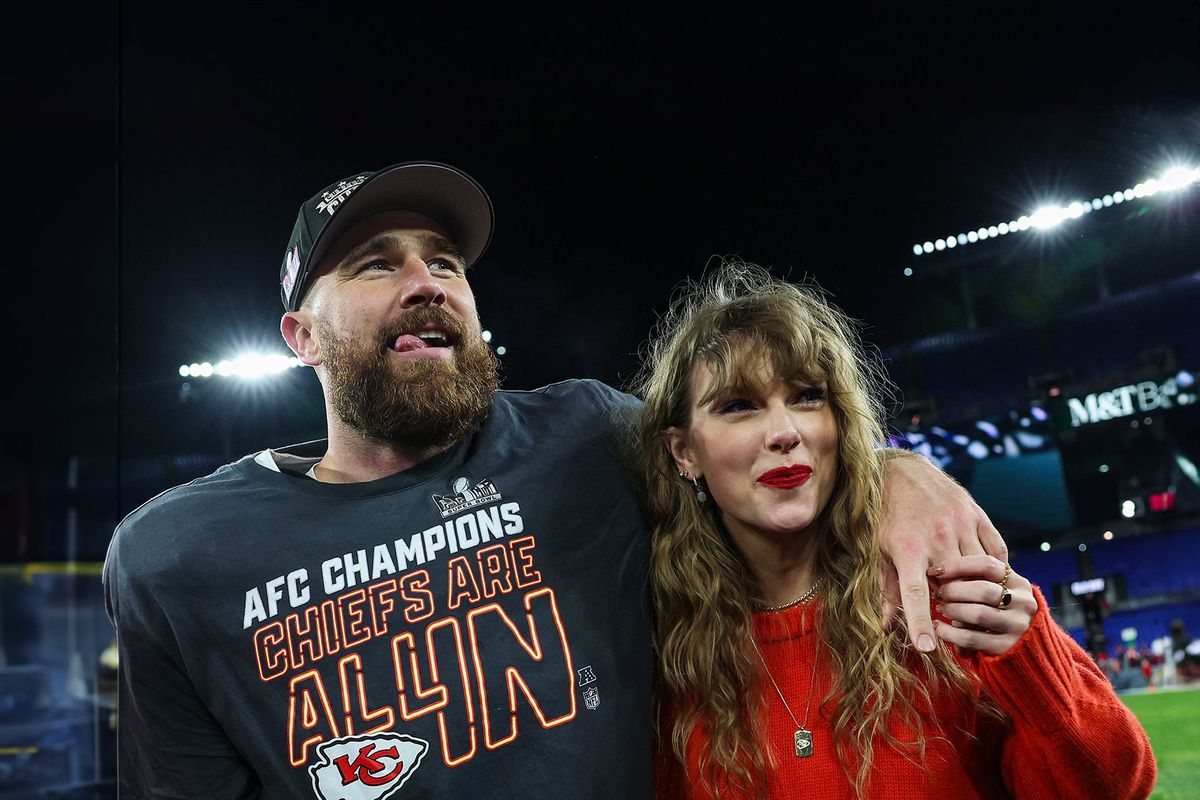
[(421, 405)]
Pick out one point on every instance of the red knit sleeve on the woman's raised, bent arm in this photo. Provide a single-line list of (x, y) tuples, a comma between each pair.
[(1071, 736)]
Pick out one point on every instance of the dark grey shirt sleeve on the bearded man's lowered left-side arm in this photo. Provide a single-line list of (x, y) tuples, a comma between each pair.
[(169, 743)]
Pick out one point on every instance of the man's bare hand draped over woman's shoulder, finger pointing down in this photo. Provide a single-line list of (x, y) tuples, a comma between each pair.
[(928, 519)]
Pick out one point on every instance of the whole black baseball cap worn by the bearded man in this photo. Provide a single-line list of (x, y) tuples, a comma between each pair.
[(445, 194)]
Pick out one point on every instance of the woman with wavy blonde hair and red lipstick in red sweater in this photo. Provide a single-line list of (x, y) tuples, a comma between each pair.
[(777, 677)]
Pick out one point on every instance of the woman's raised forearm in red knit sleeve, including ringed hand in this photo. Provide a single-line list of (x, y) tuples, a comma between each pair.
[(1070, 736)]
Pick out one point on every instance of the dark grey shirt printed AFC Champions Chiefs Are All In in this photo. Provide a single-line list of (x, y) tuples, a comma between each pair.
[(472, 627)]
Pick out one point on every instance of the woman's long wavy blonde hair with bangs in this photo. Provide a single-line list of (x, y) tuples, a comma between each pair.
[(742, 323)]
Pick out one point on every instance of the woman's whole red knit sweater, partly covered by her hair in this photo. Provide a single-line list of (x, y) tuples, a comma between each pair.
[(1067, 736)]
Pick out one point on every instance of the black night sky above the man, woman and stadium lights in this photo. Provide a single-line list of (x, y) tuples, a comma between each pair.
[(164, 155)]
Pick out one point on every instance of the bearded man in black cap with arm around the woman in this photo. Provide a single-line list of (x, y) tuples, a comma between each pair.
[(443, 599)]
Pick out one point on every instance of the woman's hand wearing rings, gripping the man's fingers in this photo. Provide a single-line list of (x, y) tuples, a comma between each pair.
[(991, 606)]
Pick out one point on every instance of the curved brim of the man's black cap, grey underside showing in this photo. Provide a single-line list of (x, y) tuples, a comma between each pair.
[(447, 196)]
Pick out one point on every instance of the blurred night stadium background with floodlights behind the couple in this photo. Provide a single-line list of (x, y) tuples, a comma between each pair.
[(1016, 214)]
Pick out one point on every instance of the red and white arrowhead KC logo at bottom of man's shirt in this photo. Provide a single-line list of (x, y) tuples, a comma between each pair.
[(365, 768)]
